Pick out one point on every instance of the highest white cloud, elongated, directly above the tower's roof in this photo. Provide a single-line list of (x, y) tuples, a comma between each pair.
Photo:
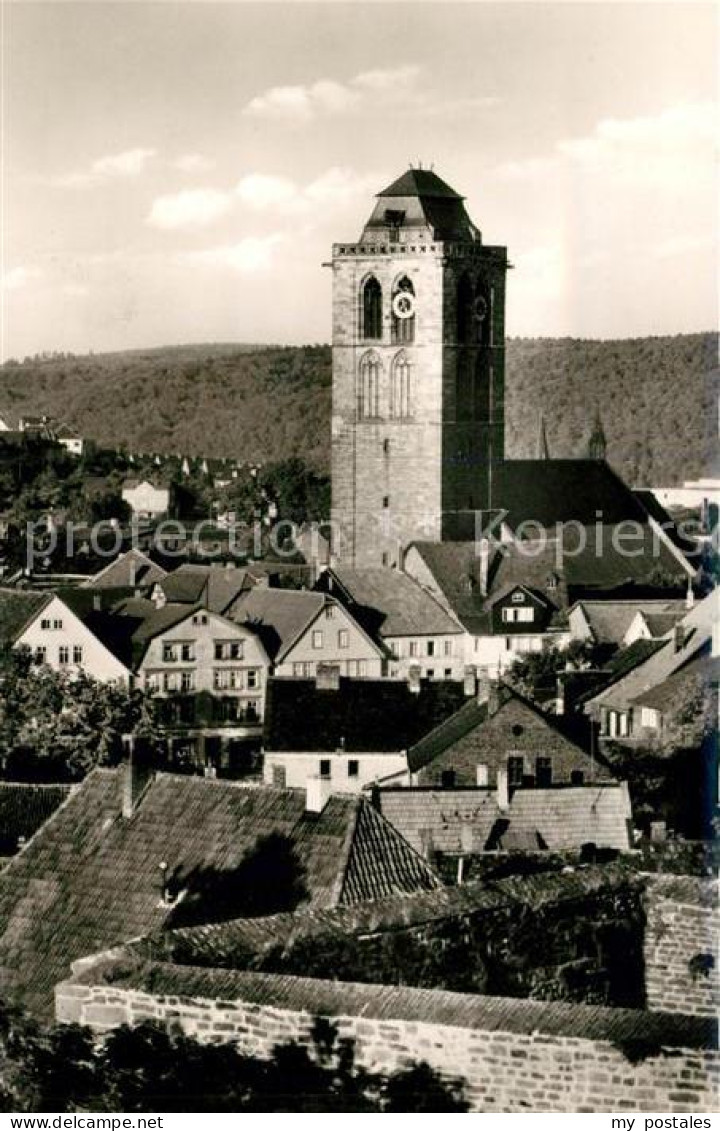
[(402, 88)]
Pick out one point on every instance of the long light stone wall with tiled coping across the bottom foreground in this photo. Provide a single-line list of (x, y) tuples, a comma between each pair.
[(515, 1056)]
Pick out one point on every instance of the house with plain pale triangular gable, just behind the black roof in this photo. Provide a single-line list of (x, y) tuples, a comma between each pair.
[(302, 631)]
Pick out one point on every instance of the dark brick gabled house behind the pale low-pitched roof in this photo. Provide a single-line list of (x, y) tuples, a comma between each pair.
[(499, 731)]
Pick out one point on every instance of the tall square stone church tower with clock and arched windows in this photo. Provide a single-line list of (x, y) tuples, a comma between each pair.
[(419, 307)]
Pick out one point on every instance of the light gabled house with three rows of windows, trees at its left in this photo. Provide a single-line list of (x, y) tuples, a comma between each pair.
[(209, 676)]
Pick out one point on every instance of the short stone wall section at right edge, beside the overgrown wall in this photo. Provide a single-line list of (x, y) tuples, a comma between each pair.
[(681, 945)]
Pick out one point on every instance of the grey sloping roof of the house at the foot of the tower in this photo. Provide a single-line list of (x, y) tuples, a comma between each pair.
[(391, 603)]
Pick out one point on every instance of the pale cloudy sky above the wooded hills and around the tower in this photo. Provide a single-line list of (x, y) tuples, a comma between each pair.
[(178, 172)]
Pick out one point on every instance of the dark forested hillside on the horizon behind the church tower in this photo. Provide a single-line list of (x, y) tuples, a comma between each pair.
[(657, 398)]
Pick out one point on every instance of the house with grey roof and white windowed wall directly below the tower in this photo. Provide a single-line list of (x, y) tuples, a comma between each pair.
[(409, 621)]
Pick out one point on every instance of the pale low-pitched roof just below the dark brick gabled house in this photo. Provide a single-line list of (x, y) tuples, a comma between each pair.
[(554, 818)]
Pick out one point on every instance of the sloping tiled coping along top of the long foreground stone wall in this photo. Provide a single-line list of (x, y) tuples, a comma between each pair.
[(320, 998)]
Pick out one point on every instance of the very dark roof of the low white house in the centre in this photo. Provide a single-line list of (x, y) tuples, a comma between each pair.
[(362, 715)]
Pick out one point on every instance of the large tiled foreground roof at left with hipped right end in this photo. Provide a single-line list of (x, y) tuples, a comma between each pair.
[(90, 879)]
